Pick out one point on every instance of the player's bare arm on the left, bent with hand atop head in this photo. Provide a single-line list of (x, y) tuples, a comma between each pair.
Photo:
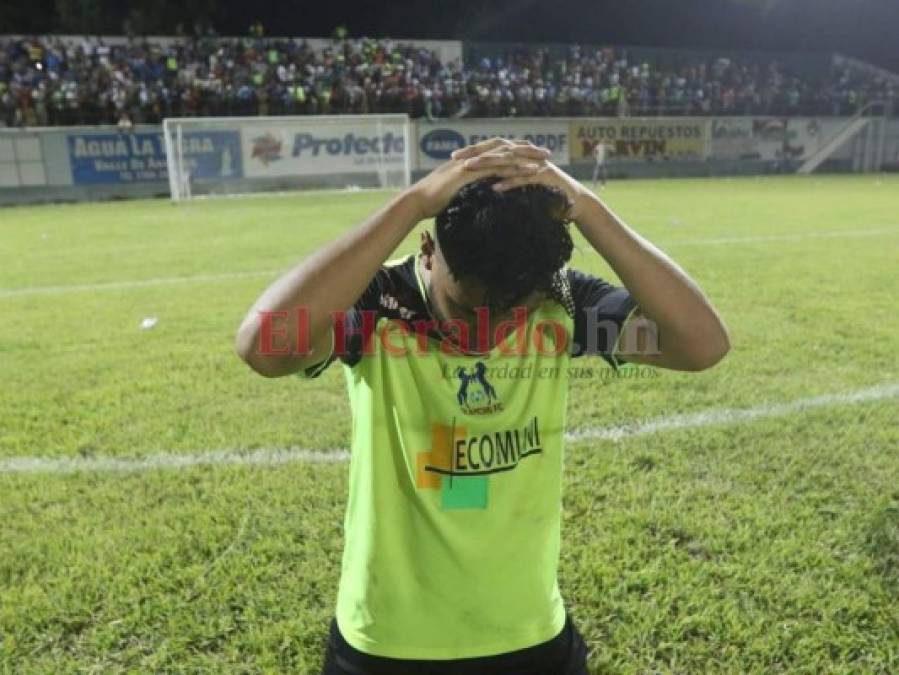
[(335, 276)]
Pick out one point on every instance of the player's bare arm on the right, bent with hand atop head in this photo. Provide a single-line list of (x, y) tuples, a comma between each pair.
[(690, 334)]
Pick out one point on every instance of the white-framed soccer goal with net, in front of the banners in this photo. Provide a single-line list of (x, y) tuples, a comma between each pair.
[(239, 155)]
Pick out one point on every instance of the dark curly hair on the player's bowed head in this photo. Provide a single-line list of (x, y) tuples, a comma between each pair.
[(514, 242)]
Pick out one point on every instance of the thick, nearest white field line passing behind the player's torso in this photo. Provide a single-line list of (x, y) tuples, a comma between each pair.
[(274, 457)]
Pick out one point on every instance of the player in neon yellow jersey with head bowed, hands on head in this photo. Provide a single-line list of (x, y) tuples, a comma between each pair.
[(456, 360)]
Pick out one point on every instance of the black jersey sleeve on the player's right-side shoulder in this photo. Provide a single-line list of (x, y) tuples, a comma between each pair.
[(600, 310)]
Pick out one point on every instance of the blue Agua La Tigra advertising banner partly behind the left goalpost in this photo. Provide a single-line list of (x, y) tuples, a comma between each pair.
[(140, 157)]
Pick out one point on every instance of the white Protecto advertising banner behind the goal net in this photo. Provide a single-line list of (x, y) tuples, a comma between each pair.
[(309, 148)]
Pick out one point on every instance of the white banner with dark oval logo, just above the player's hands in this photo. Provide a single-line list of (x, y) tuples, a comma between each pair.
[(436, 140)]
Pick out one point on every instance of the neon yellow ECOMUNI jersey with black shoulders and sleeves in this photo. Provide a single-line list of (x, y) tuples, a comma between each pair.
[(452, 525)]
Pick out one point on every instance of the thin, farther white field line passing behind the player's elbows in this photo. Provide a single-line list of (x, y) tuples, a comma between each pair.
[(159, 281)]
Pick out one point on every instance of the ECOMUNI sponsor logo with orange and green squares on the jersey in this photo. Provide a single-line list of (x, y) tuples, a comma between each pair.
[(459, 465)]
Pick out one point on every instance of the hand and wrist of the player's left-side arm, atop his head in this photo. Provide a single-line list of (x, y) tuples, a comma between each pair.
[(506, 159)]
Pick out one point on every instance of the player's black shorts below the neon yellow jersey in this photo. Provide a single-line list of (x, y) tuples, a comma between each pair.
[(565, 654)]
